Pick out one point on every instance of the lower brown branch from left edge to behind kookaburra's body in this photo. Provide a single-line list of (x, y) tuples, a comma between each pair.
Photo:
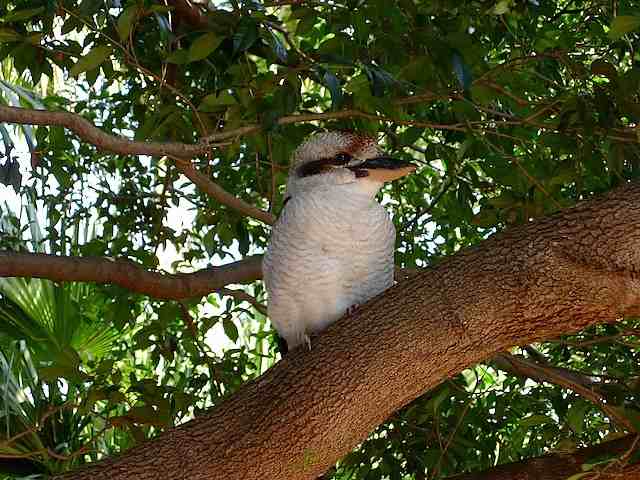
[(128, 274)]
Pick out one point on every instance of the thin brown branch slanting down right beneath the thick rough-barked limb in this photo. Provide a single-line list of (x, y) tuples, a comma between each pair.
[(577, 382)]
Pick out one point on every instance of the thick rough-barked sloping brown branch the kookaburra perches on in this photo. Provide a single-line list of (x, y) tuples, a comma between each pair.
[(534, 282)]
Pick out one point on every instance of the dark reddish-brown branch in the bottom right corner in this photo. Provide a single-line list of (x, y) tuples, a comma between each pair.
[(560, 466)]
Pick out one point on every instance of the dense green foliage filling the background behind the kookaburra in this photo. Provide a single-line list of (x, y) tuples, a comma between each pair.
[(513, 109)]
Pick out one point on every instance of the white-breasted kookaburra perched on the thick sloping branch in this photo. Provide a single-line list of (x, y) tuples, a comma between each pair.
[(332, 247)]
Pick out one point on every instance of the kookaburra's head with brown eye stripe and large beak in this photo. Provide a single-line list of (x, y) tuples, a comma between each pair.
[(339, 158)]
